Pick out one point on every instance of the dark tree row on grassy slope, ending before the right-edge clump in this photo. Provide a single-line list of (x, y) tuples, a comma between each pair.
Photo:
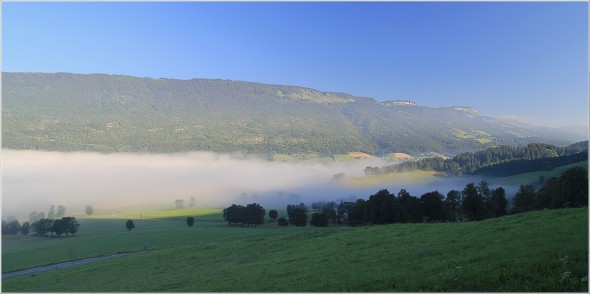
[(474, 202)]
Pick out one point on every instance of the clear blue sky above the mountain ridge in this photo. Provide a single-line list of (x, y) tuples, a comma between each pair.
[(522, 60)]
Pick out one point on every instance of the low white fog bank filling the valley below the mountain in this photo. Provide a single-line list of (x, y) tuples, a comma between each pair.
[(34, 180)]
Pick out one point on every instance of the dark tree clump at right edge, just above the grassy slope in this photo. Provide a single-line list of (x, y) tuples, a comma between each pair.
[(570, 189)]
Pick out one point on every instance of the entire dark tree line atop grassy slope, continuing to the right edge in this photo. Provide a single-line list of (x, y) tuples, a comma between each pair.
[(474, 202)]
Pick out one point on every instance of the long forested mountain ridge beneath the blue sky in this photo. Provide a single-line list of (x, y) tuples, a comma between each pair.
[(114, 113)]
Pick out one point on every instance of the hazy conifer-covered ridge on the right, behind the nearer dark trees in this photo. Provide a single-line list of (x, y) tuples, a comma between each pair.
[(496, 161)]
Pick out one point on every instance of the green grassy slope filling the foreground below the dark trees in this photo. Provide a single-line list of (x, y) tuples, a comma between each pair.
[(538, 251)]
